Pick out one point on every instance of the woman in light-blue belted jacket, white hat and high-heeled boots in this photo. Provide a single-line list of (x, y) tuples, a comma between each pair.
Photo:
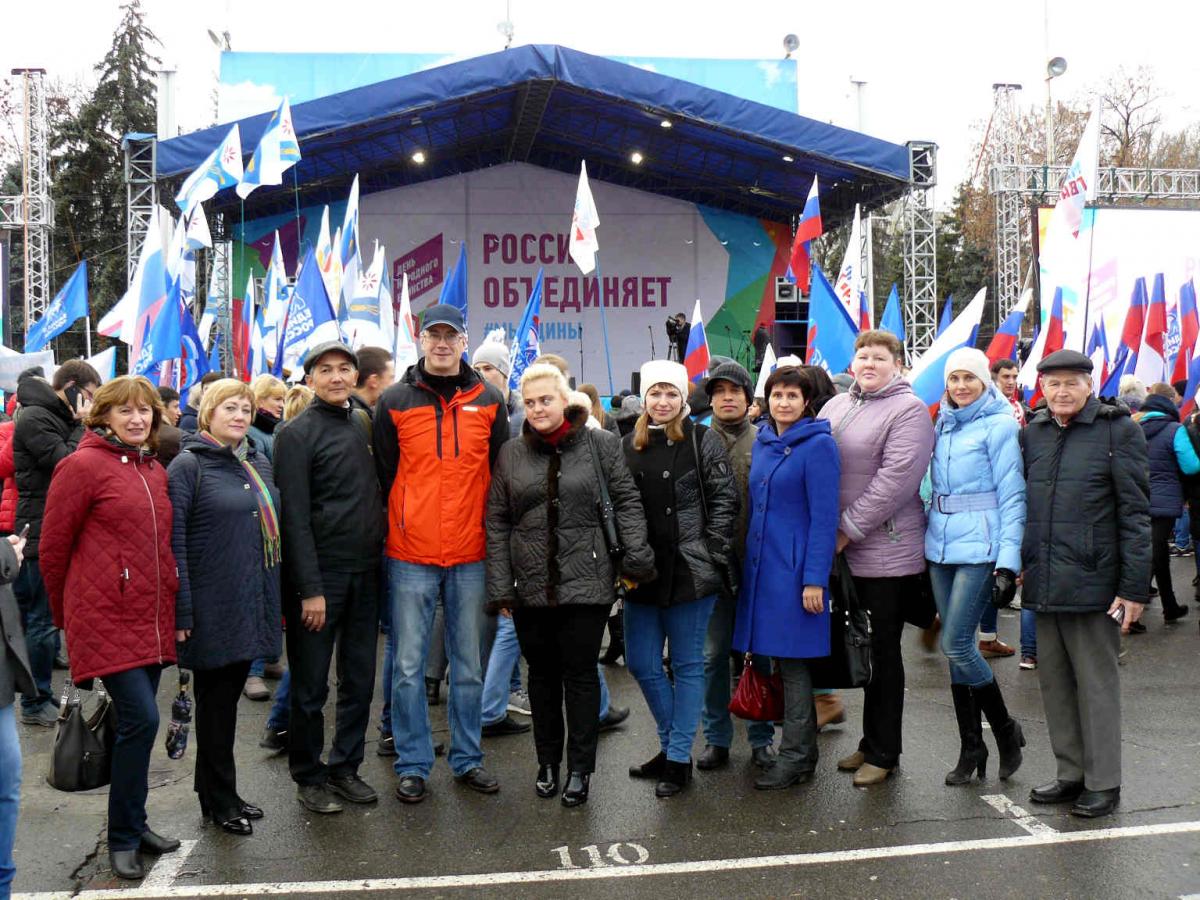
[(974, 548)]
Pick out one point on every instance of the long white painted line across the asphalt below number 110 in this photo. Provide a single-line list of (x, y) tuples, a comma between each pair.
[(433, 883)]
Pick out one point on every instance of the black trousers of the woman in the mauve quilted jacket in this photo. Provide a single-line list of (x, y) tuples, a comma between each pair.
[(884, 698)]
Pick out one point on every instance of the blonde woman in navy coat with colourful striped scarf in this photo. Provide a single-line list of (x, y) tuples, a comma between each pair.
[(226, 539)]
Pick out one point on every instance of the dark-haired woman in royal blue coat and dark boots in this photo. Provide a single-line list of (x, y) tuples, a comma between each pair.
[(783, 607)]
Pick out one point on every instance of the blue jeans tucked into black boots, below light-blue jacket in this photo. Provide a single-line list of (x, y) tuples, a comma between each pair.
[(962, 592)]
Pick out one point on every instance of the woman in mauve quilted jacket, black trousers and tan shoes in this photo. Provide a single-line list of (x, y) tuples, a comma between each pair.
[(885, 439)]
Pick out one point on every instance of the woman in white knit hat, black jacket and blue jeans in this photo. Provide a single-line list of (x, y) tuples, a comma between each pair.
[(692, 501)]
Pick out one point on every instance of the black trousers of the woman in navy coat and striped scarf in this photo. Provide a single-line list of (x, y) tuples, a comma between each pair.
[(218, 692)]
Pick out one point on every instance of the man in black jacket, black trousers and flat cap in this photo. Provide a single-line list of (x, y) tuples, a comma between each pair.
[(333, 525)]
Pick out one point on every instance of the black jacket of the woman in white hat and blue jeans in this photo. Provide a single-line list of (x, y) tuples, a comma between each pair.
[(692, 550)]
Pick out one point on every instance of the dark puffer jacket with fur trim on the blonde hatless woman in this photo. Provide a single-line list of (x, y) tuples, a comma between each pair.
[(545, 543)]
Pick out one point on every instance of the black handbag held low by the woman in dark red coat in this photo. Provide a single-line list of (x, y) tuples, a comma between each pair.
[(83, 746)]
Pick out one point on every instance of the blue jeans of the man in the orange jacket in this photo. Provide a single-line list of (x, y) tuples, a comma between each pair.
[(415, 595)]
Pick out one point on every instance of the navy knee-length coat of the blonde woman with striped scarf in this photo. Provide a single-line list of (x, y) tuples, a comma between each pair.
[(226, 597)]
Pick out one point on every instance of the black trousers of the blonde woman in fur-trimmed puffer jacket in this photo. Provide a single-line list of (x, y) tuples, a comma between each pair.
[(561, 645)]
